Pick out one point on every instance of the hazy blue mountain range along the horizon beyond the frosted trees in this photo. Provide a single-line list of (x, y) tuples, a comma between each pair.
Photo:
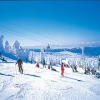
[(88, 50)]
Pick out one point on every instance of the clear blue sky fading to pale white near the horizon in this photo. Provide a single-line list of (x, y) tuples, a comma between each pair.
[(50, 22)]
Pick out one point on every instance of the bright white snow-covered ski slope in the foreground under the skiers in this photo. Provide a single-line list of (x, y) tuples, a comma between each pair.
[(45, 84)]
